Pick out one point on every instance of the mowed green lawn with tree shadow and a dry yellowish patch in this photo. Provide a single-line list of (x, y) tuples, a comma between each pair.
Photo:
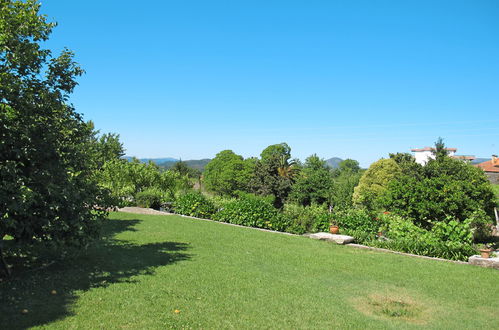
[(220, 276)]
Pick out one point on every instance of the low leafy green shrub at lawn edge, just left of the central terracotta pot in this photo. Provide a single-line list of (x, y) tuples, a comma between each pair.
[(306, 219)]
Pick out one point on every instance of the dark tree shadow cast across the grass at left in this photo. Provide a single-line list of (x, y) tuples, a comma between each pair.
[(107, 262)]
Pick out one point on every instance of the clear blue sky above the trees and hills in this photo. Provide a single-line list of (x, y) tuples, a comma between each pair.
[(353, 79)]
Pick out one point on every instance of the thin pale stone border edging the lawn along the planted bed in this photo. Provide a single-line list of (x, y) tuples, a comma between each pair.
[(138, 210)]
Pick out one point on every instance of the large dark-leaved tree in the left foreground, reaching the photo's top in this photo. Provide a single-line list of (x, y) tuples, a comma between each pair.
[(48, 188)]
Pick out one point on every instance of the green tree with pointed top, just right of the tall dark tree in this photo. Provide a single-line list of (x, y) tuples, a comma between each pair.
[(314, 183)]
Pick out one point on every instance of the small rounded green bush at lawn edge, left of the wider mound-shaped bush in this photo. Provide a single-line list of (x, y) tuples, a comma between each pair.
[(194, 204)]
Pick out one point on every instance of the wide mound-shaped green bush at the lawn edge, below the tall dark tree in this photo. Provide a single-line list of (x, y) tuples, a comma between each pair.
[(252, 211)]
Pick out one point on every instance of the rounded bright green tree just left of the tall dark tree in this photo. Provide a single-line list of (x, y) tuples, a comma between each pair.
[(228, 173)]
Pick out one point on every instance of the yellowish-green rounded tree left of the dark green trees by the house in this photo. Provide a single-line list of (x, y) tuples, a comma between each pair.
[(373, 183)]
